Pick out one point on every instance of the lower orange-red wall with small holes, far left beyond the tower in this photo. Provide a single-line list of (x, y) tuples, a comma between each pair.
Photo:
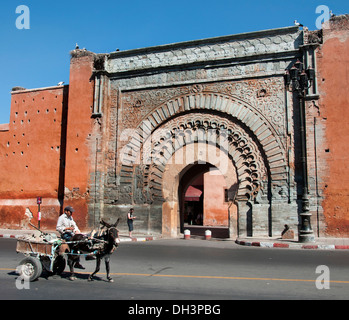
[(30, 156)]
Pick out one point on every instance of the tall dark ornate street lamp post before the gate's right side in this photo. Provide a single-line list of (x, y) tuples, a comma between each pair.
[(299, 81)]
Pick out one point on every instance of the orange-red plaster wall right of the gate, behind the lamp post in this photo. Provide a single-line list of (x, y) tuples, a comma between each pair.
[(333, 67)]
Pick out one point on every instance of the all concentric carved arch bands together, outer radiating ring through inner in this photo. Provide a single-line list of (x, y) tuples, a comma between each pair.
[(221, 121)]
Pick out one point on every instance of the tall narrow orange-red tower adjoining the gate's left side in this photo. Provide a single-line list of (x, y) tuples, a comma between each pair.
[(79, 128)]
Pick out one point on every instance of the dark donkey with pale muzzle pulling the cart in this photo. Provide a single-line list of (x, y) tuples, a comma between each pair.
[(108, 242)]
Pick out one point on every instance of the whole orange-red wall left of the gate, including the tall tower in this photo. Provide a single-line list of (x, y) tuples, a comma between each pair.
[(45, 151)]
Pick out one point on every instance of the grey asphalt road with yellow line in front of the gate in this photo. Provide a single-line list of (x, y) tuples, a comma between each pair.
[(194, 270)]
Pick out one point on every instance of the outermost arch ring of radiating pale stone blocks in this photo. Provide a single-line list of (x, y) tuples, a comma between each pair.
[(247, 115)]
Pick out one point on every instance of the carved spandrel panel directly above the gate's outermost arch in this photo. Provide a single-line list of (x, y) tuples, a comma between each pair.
[(265, 96)]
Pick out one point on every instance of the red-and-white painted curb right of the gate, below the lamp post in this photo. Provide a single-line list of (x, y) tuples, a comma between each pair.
[(291, 246)]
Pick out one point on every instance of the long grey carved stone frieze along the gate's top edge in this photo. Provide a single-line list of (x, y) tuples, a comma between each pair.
[(215, 49)]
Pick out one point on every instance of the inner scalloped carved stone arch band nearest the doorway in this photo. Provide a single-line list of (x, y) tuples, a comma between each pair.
[(188, 130)]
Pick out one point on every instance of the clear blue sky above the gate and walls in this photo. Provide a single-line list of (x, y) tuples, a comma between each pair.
[(39, 56)]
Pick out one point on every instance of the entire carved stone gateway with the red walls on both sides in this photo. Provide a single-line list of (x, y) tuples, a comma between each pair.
[(201, 134)]
